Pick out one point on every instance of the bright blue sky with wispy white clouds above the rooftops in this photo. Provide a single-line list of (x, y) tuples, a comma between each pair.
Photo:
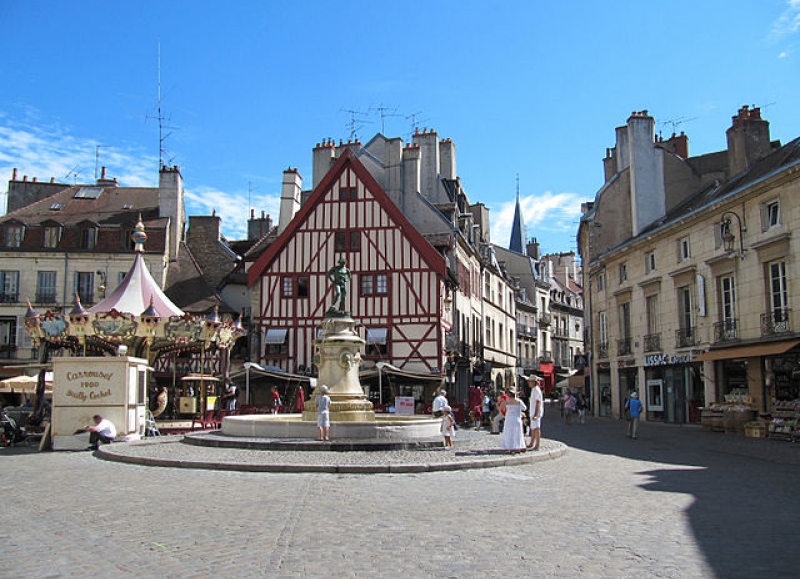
[(528, 88)]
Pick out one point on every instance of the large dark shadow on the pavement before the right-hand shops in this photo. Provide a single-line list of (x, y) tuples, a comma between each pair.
[(746, 507)]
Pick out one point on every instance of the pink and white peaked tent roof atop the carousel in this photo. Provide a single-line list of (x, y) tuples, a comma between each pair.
[(135, 293)]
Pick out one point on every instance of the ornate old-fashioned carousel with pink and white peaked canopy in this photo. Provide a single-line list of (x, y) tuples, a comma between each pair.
[(138, 322)]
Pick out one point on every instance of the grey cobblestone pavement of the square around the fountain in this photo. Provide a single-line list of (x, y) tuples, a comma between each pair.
[(677, 502)]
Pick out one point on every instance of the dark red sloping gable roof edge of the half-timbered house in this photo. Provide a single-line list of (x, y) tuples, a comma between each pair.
[(350, 161)]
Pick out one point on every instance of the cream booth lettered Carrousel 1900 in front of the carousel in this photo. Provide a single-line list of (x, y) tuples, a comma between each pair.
[(114, 388)]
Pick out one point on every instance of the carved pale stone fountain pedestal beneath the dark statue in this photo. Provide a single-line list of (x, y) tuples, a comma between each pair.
[(339, 359)]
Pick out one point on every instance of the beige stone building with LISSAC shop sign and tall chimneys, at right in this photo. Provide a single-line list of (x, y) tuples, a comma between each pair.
[(689, 266)]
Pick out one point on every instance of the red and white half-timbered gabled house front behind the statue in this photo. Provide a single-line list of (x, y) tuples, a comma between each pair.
[(396, 293)]
